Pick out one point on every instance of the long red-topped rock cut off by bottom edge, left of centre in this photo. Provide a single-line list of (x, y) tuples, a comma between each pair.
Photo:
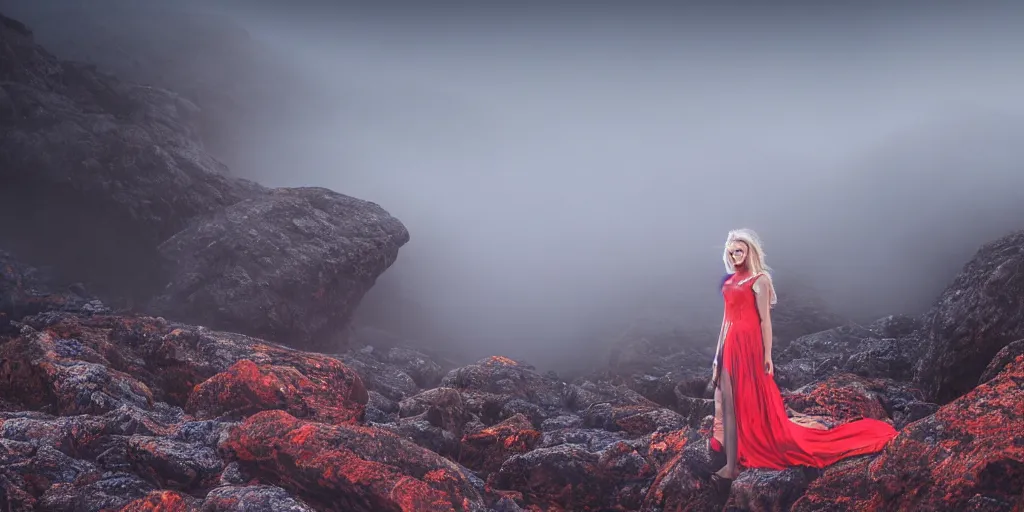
[(349, 467)]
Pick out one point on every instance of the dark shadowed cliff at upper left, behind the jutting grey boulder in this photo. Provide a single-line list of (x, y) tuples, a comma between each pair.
[(90, 163)]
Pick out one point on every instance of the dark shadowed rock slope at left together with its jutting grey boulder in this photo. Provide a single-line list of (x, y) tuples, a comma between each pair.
[(90, 163)]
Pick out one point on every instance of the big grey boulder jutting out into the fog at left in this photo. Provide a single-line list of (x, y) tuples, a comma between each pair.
[(289, 267)]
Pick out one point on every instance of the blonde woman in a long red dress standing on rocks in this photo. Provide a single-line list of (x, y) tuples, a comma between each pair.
[(756, 431)]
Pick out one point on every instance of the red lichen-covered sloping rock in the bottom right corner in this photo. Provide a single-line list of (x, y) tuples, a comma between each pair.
[(968, 456)]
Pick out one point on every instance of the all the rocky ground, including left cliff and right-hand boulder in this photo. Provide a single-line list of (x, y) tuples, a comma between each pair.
[(222, 386)]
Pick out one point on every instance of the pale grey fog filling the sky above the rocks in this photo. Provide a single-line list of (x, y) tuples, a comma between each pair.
[(566, 173)]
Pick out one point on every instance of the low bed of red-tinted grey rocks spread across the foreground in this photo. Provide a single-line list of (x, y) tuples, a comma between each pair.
[(122, 412)]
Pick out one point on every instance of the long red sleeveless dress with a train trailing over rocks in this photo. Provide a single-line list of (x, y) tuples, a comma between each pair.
[(766, 437)]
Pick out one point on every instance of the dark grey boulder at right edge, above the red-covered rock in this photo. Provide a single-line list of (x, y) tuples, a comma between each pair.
[(978, 315)]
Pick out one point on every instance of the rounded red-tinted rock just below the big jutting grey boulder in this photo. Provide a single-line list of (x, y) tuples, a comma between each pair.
[(323, 391)]
